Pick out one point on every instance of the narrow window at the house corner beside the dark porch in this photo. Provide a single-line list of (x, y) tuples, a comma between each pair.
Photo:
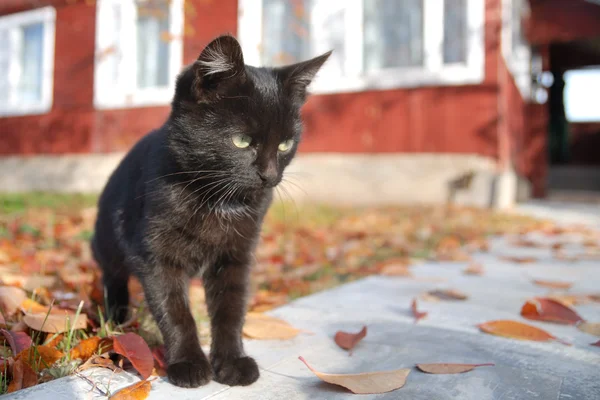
[(515, 49)]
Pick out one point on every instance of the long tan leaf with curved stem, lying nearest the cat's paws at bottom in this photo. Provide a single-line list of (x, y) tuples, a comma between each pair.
[(366, 382)]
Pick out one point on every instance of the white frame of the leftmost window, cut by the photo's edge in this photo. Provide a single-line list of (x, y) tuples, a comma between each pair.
[(13, 23)]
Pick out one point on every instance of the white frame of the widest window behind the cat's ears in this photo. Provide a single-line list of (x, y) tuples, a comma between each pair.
[(433, 73)]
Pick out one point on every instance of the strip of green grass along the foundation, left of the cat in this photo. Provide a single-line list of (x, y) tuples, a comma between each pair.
[(16, 203)]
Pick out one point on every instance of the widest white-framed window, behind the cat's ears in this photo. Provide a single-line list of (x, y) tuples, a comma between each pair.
[(378, 44)]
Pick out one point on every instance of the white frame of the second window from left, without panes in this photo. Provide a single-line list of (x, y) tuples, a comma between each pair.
[(126, 94)]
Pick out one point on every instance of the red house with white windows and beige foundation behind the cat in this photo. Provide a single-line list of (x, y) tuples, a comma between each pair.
[(418, 95)]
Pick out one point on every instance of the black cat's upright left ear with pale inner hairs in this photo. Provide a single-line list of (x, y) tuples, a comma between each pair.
[(219, 66)]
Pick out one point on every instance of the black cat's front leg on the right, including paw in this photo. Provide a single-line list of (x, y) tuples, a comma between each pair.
[(226, 287)]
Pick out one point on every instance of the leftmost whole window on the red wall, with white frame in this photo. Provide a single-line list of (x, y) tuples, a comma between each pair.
[(27, 62)]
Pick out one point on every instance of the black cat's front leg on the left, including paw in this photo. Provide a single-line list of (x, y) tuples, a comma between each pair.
[(166, 291)]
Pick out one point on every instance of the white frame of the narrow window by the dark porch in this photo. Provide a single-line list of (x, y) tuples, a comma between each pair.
[(517, 61)]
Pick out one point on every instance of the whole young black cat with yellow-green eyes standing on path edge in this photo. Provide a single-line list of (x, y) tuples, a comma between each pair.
[(189, 199)]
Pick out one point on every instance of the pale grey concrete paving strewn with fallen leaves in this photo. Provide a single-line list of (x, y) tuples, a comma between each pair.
[(524, 370)]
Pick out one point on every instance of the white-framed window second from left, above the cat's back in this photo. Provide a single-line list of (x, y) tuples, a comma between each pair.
[(138, 52)]
